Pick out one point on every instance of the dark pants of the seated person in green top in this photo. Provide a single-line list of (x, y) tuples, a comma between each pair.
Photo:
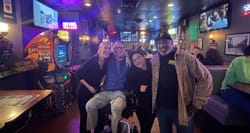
[(238, 99)]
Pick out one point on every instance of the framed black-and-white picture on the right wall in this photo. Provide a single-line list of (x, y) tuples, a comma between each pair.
[(235, 43)]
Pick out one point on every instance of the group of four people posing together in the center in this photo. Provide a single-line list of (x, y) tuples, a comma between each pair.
[(172, 86)]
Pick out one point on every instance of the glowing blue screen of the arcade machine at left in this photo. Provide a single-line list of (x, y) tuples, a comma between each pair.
[(62, 53)]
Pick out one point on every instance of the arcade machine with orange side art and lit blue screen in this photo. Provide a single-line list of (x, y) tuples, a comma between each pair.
[(52, 50)]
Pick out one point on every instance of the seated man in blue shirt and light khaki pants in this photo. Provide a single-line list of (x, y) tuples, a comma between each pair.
[(112, 90)]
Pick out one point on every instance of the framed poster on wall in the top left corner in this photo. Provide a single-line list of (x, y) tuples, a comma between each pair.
[(7, 11)]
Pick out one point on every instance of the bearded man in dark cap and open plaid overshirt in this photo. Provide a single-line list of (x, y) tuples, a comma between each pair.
[(180, 86)]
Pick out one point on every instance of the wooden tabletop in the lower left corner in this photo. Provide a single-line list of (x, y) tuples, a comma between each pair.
[(10, 112)]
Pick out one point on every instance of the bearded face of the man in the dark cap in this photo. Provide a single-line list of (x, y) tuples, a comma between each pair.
[(164, 46)]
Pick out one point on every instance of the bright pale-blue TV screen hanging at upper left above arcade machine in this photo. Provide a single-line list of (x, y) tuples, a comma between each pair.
[(44, 16)]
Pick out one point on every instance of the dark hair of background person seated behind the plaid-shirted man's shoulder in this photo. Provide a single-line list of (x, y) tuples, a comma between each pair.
[(214, 54)]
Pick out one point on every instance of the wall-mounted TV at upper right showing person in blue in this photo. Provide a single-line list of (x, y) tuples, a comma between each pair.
[(214, 19)]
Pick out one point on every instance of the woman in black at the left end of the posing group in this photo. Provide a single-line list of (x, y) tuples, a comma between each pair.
[(90, 75)]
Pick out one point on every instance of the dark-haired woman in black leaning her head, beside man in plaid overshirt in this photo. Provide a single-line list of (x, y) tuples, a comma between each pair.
[(139, 79)]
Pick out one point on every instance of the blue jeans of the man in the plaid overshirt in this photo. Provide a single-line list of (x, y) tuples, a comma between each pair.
[(167, 118)]
